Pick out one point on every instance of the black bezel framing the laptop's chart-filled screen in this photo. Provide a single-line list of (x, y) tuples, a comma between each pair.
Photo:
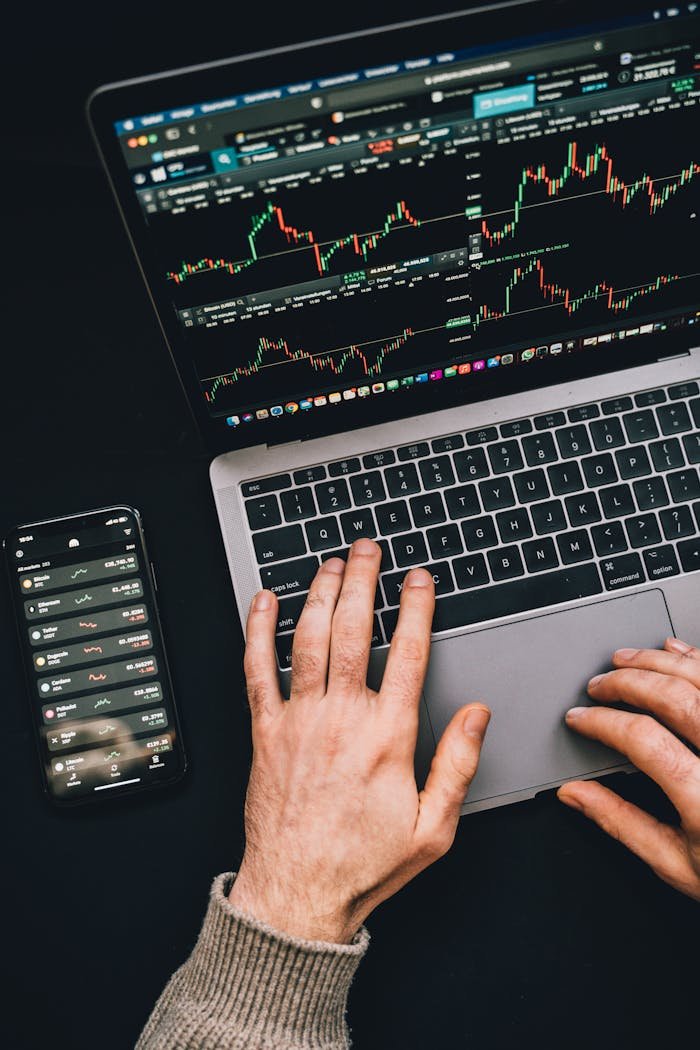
[(528, 23)]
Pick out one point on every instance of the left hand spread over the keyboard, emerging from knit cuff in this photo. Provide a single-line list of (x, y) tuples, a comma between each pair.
[(334, 820)]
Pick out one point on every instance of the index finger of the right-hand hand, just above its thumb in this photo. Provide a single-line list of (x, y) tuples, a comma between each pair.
[(652, 748)]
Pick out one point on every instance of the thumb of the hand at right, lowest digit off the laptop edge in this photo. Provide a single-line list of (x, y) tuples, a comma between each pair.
[(660, 846)]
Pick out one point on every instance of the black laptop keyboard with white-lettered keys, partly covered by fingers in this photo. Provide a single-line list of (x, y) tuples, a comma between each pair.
[(510, 519)]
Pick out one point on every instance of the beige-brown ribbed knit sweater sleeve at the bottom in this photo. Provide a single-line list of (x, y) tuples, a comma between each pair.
[(247, 985)]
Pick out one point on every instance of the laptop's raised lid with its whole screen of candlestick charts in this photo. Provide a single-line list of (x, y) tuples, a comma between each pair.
[(375, 226)]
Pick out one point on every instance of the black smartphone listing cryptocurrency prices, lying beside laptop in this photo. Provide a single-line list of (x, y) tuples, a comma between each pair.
[(100, 690)]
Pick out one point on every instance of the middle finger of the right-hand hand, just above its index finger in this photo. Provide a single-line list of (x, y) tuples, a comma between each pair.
[(673, 700)]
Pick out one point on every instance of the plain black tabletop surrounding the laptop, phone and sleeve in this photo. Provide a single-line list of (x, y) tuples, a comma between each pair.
[(536, 931)]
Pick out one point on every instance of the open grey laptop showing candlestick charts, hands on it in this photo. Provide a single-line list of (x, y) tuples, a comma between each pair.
[(437, 284)]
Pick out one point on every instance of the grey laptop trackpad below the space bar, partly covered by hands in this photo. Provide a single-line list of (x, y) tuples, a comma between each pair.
[(529, 674)]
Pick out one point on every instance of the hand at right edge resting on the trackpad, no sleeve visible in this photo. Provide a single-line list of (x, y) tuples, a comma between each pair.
[(666, 684)]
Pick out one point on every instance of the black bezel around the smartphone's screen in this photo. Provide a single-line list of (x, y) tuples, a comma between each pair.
[(83, 521)]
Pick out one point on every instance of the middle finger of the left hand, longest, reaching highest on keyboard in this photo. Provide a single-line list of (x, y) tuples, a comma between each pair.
[(351, 633)]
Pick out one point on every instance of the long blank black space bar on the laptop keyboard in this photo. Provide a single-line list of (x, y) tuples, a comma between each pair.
[(517, 597)]
